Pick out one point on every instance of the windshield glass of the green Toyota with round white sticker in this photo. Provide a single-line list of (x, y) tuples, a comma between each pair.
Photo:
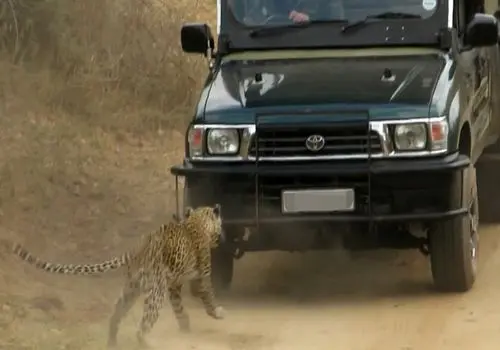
[(284, 12)]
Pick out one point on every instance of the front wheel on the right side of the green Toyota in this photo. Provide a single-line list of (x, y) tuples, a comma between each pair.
[(453, 244)]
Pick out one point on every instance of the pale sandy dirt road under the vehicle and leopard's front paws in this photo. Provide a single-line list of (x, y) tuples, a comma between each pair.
[(326, 301)]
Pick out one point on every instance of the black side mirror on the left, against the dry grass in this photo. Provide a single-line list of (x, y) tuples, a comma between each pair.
[(197, 38)]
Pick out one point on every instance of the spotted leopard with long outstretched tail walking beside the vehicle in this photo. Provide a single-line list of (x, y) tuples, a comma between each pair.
[(176, 253)]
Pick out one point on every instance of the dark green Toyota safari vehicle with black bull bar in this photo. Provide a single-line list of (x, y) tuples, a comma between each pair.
[(359, 122)]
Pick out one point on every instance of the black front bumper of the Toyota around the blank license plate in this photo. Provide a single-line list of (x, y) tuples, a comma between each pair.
[(385, 190)]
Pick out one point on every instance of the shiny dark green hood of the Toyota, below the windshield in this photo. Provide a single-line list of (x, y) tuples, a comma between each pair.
[(388, 86)]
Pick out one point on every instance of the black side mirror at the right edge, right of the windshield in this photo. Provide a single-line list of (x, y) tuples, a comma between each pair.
[(482, 31)]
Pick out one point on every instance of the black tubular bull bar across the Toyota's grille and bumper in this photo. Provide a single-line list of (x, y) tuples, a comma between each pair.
[(369, 166)]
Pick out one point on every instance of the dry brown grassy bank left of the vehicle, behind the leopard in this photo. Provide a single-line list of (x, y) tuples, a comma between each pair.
[(95, 96)]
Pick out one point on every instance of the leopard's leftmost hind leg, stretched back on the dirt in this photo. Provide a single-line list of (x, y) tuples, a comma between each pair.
[(129, 295)]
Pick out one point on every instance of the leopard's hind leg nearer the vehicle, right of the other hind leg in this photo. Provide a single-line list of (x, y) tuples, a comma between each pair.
[(152, 305)]
